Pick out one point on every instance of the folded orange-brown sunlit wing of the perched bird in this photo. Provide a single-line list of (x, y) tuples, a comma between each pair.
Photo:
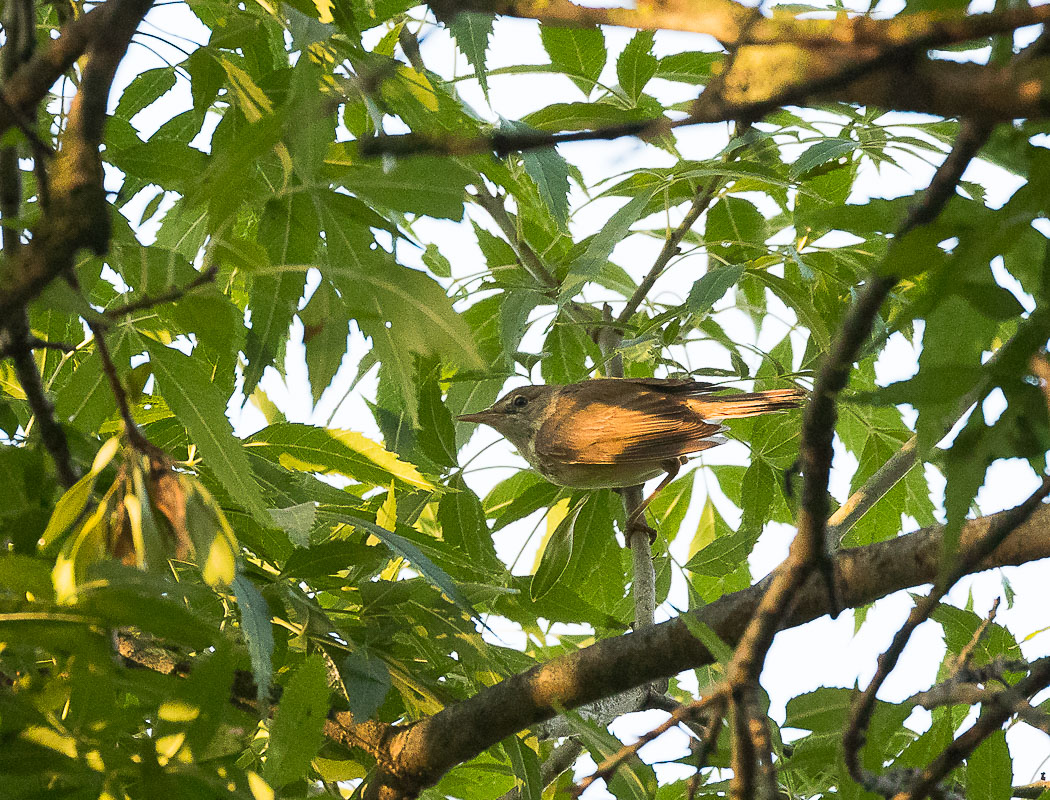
[(643, 426)]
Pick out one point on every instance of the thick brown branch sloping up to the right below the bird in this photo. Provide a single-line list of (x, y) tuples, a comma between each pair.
[(422, 753)]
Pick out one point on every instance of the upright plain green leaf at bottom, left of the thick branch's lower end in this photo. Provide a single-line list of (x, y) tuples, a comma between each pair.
[(298, 729)]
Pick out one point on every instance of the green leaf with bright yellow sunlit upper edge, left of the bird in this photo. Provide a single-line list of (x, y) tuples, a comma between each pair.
[(331, 451)]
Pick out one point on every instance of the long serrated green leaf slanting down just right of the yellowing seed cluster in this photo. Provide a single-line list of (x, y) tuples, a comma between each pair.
[(202, 410)]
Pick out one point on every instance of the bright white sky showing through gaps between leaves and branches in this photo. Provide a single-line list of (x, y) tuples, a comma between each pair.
[(833, 656)]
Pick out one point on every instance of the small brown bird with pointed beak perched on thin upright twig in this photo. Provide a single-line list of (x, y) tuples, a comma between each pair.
[(615, 433)]
